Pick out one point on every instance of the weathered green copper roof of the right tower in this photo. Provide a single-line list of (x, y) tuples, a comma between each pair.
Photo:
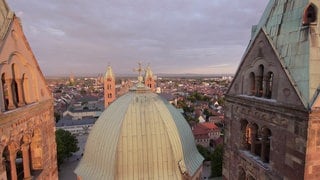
[(282, 22)]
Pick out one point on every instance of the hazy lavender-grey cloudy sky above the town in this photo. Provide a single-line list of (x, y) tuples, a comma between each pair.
[(172, 36)]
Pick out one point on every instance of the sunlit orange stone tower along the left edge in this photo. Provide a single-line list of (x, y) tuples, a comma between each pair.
[(27, 146)]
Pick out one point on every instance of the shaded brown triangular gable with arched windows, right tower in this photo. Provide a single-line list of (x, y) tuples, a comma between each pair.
[(262, 75)]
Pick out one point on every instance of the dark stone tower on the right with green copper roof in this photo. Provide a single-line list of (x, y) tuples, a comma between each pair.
[(273, 106)]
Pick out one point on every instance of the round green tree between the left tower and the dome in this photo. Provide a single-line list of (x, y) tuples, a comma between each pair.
[(67, 144)]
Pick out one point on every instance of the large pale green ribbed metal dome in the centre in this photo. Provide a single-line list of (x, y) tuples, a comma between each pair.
[(140, 136)]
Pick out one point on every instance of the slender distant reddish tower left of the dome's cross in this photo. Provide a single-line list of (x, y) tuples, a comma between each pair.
[(109, 87)]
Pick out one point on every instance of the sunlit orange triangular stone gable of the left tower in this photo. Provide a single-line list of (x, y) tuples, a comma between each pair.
[(19, 66)]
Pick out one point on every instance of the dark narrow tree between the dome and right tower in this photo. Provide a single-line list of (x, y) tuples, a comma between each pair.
[(216, 161)]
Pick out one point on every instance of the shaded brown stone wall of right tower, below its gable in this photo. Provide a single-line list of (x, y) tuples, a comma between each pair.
[(288, 126)]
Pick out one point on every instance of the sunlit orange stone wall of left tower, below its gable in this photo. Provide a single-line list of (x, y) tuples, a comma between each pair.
[(36, 122)]
